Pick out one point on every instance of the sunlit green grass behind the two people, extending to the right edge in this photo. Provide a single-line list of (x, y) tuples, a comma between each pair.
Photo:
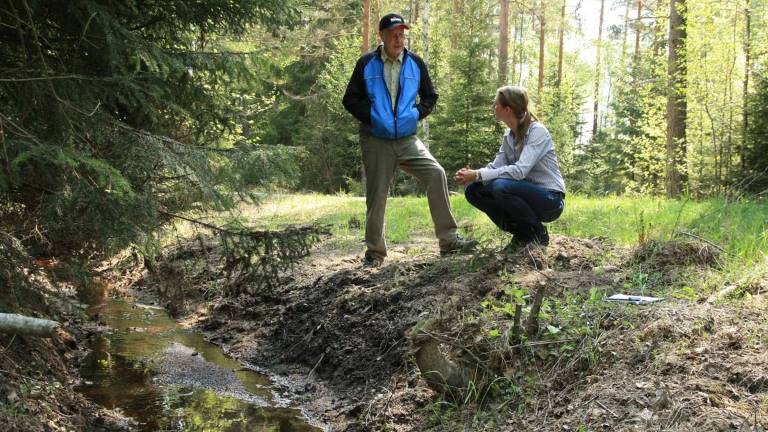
[(738, 228)]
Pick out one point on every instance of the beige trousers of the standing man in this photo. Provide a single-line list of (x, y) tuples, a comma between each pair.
[(381, 157)]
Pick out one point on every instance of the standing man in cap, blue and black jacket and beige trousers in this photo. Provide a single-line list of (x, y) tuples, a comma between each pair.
[(381, 94)]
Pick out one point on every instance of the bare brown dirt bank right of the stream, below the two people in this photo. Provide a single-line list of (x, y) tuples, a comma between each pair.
[(339, 333)]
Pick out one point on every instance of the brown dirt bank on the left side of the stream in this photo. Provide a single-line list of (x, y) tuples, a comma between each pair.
[(39, 375)]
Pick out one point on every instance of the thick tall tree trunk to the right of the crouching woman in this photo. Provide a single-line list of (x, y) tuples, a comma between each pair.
[(676, 103)]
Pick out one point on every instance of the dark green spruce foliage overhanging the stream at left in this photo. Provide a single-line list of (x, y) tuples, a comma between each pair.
[(113, 116)]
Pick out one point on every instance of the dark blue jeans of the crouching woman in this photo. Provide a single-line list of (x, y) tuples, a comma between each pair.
[(517, 206)]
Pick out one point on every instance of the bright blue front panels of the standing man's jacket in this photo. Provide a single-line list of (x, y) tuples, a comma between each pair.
[(384, 122)]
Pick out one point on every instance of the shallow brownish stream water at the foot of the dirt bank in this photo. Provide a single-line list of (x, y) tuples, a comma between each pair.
[(171, 379)]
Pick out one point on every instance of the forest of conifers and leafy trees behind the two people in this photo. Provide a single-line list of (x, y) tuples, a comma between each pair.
[(116, 117)]
